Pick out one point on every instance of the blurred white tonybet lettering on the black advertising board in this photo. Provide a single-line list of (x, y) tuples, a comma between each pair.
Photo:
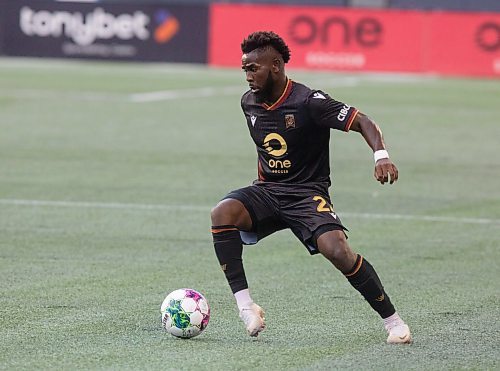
[(84, 29)]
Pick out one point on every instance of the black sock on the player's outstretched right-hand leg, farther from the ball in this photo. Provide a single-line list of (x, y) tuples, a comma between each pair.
[(364, 279)]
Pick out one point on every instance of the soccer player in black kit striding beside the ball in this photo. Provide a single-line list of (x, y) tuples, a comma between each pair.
[(290, 125)]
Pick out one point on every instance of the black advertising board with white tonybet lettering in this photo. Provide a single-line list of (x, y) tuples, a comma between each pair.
[(148, 32)]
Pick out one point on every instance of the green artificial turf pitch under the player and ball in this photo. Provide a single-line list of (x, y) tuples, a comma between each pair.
[(105, 208)]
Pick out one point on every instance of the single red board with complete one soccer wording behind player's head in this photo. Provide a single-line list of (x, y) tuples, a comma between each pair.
[(320, 37)]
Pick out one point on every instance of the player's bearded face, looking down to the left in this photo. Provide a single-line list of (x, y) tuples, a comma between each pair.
[(258, 70)]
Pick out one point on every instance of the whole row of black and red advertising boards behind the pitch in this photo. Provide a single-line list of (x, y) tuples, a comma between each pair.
[(446, 37)]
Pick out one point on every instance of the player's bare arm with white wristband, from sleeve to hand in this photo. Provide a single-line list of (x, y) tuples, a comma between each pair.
[(385, 170)]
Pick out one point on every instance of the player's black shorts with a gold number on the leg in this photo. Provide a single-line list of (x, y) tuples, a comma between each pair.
[(306, 209)]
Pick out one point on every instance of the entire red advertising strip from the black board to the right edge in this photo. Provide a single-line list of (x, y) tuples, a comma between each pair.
[(363, 40)]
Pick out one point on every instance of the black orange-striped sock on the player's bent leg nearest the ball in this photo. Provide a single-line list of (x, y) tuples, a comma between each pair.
[(229, 251)]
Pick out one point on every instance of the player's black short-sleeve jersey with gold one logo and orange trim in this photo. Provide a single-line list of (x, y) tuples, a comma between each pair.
[(292, 136)]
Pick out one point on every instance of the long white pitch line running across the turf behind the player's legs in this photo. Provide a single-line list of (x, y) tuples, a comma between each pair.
[(202, 208)]
